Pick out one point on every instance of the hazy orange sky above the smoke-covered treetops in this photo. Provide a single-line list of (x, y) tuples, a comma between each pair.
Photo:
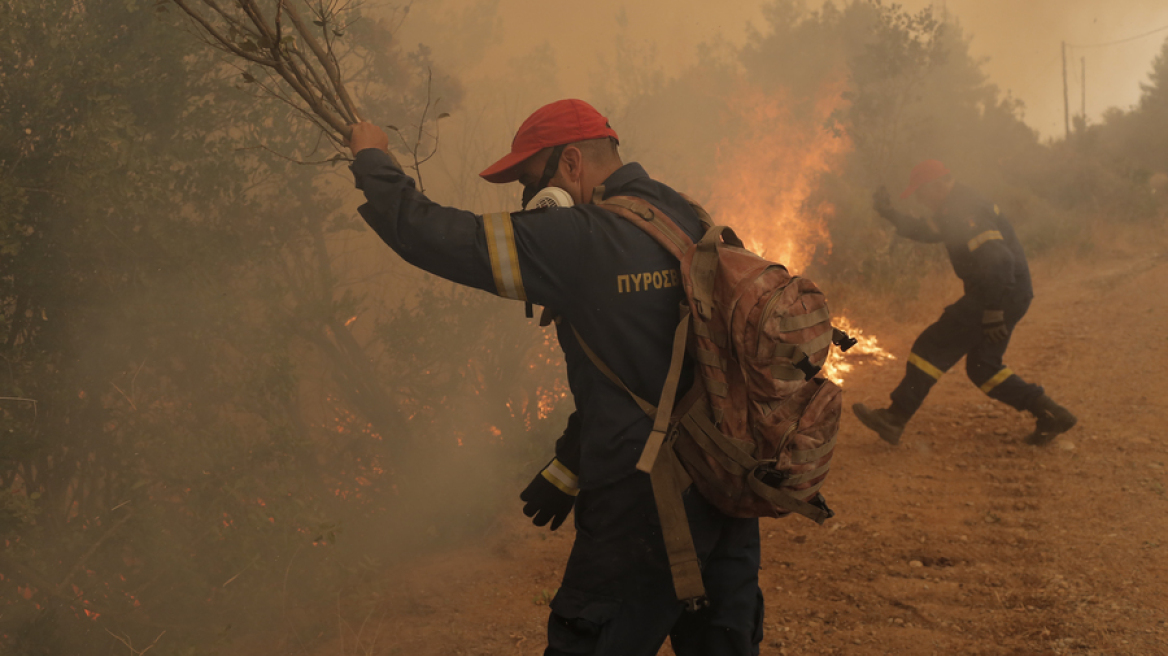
[(1020, 39)]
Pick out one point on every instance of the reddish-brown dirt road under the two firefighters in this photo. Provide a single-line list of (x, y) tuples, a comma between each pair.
[(961, 541)]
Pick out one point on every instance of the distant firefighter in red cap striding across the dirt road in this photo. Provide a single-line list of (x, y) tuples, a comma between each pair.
[(989, 259)]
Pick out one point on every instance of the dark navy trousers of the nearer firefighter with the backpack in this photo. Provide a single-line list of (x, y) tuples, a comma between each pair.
[(617, 597)]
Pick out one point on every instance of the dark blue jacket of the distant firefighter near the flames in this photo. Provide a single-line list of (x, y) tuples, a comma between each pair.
[(982, 245)]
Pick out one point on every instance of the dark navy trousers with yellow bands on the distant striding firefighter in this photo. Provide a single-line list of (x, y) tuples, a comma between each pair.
[(958, 333)]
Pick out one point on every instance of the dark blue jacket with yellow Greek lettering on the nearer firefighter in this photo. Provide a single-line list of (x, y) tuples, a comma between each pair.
[(604, 276)]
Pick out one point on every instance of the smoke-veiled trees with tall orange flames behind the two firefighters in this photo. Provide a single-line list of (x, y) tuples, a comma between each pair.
[(823, 107)]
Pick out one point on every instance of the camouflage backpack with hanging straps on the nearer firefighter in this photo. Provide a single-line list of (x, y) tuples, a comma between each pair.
[(756, 432)]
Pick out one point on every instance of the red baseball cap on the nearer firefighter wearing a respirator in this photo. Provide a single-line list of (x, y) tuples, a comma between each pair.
[(564, 122)]
